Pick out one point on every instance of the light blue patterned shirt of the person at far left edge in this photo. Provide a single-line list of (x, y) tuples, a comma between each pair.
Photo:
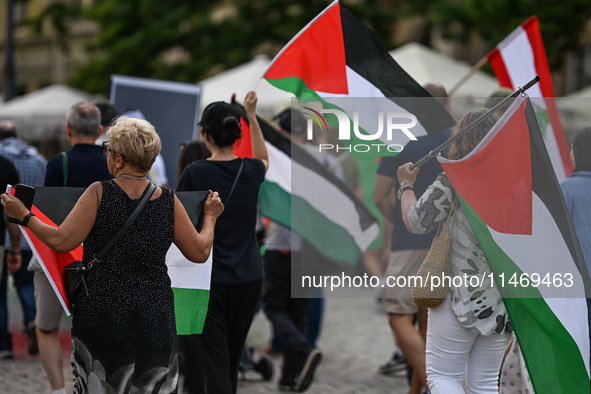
[(30, 165)]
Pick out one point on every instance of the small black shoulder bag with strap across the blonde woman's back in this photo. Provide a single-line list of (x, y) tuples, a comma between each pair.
[(73, 273)]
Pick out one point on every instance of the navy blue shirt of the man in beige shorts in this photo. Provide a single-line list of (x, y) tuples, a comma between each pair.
[(414, 151)]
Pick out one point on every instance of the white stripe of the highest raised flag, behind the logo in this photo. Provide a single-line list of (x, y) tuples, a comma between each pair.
[(359, 87)]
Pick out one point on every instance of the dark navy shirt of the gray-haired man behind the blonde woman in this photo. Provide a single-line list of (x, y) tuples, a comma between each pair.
[(86, 165)]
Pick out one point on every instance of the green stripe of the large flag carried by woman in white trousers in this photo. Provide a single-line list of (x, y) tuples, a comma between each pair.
[(553, 359)]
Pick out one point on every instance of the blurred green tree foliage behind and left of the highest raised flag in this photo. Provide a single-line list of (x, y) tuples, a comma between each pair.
[(187, 40)]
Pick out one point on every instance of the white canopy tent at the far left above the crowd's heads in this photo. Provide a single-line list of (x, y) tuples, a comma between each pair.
[(42, 111)]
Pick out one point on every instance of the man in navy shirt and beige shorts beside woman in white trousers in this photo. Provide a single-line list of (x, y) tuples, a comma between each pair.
[(407, 251)]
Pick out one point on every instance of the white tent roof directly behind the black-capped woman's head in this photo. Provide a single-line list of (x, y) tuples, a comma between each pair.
[(240, 80)]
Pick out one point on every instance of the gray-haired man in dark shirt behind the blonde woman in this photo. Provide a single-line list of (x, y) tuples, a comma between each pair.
[(83, 165)]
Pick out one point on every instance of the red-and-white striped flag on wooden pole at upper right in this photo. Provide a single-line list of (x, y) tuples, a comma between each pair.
[(516, 60)]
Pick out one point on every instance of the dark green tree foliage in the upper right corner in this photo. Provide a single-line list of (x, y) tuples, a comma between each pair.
[(561, 21)]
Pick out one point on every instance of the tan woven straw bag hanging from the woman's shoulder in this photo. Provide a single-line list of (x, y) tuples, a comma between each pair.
[(436, 264)]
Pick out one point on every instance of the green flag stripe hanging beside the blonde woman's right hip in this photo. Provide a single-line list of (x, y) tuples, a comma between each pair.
[(190, 309)]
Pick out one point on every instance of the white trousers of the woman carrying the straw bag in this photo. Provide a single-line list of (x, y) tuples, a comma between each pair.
[(450, 346)]
